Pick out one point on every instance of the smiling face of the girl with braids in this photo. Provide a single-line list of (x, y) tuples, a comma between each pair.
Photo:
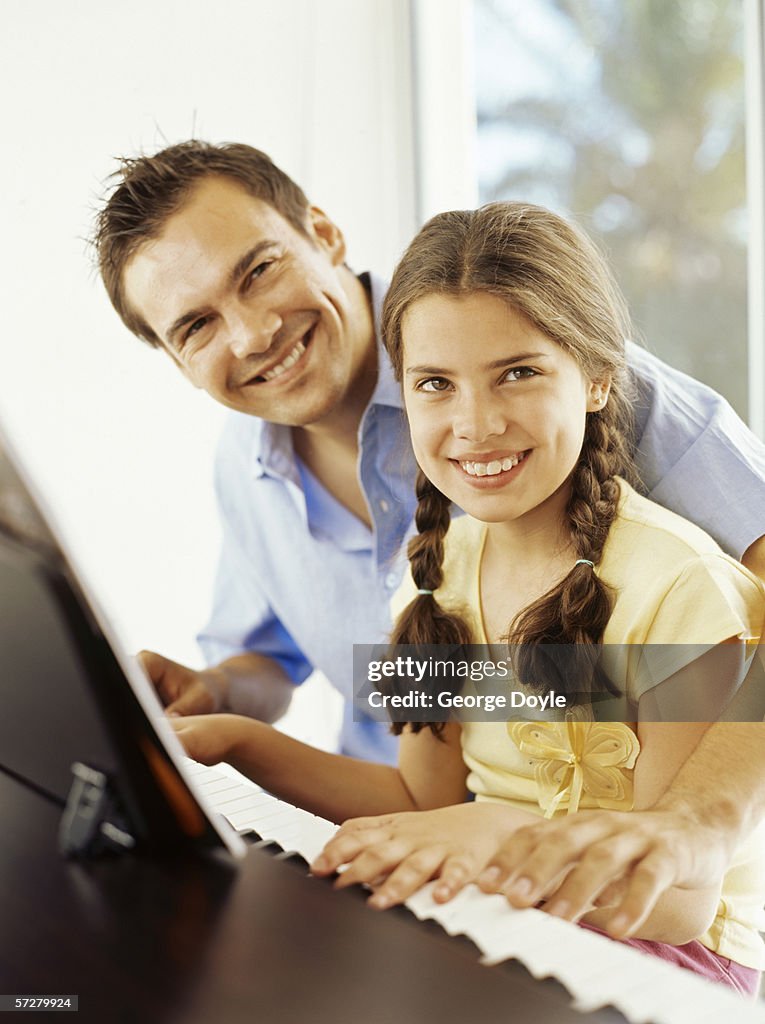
[(496, 408)]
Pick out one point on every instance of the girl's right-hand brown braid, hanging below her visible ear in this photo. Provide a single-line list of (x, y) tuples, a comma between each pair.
[(577, 611)]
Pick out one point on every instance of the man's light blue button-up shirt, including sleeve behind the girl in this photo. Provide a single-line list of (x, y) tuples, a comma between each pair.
[(302, 579)]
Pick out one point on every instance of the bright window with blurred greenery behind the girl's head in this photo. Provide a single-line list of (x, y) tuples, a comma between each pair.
[(629, 115)]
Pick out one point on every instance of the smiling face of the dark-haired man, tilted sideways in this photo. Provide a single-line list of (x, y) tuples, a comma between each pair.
[(250, 310)]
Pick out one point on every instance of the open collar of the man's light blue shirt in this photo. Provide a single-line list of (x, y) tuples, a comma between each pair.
[(273, 450)]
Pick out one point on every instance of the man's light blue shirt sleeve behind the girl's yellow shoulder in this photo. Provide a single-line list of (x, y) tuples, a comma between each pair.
[(696, 456)]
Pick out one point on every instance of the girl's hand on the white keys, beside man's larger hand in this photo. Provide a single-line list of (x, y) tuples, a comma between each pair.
[(407, 850)]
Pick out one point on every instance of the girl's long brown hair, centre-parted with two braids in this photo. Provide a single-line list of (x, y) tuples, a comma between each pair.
[(550, 272)]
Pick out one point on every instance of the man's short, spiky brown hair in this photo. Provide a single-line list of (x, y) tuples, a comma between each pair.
[(150, 190)]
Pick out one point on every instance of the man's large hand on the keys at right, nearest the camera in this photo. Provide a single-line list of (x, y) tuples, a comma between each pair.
[(617, 861)]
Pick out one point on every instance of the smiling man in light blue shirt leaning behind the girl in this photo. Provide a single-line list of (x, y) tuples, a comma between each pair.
[(216, 257)]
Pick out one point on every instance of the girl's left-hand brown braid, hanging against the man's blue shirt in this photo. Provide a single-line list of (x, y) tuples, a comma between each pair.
[(424, 621)]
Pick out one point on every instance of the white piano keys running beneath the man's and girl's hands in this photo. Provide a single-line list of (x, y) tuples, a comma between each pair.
[(597, 971)]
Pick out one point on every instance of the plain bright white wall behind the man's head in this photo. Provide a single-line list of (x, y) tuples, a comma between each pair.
[(119, 443)]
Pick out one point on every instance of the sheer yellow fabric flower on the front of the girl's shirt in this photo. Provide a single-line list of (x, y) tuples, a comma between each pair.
[(579, 757)]
